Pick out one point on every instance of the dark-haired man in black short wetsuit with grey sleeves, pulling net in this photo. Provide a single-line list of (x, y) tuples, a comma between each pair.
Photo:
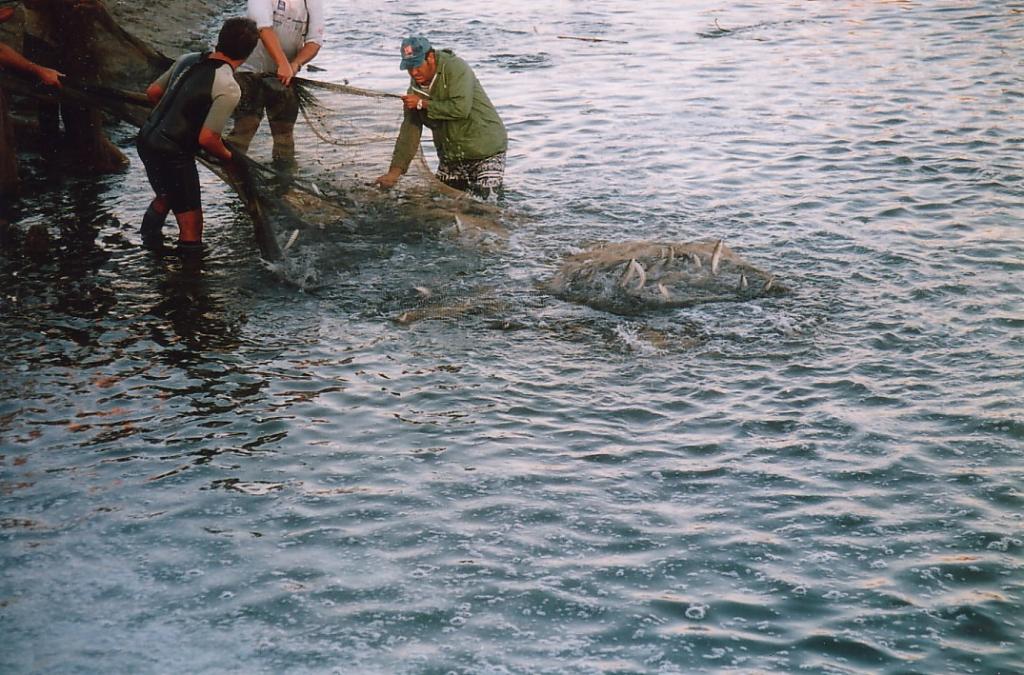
[(194, 100)]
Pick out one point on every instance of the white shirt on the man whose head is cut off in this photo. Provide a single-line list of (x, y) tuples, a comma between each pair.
[(294, 22)]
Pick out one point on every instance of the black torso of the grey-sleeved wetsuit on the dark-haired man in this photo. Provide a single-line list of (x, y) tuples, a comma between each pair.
[(175, 124)]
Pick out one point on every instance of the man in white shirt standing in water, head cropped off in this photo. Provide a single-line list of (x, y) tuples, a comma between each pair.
[(291, 34)]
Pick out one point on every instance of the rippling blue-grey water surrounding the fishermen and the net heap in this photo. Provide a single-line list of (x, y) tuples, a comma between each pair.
[(223, 473)]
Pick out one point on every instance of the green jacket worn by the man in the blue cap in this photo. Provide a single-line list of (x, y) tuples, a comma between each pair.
[(463, 120)]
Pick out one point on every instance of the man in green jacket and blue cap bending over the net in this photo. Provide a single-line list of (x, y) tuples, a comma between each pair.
[(470, 136)]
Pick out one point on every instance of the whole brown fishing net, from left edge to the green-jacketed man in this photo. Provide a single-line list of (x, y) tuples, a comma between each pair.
[(345, 139)]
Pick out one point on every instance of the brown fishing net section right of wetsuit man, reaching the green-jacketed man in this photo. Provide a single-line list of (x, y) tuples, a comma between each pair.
[(344, 141)]
